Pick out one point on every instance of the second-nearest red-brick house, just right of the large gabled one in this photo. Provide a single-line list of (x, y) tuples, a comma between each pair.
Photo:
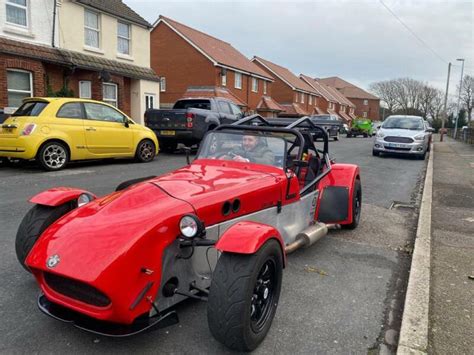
[(295, 95)]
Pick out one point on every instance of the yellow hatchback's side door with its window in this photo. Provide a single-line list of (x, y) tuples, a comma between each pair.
[(106, 132)]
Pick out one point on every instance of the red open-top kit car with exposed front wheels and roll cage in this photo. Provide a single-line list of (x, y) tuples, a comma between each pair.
[(218, 230)]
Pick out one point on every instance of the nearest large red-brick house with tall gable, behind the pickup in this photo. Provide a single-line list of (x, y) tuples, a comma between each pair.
[(184, 57)]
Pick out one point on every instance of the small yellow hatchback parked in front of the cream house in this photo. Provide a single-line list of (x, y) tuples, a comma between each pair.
[(55, 131)]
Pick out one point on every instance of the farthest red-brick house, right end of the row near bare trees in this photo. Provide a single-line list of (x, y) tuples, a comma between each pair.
[(367, 105)]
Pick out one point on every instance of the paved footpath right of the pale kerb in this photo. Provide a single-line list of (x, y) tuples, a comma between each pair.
[(451, 318)]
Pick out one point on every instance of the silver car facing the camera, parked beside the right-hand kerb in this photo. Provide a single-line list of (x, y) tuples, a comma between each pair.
[(403, 135)]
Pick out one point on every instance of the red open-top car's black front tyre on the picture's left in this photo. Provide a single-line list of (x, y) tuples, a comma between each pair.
[(33, 225)]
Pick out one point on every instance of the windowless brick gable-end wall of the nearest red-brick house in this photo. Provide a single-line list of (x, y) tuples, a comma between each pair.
[(180, 63)]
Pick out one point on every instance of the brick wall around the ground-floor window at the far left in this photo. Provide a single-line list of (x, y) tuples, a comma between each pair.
[(30, 65)]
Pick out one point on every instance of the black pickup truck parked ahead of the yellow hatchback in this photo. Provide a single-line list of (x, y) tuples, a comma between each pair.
[(189, 120)]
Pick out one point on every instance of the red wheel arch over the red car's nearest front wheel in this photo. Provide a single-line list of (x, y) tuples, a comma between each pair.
[(247, 237)]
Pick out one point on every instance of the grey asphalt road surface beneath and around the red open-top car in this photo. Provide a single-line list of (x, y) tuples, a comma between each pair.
[(342, 295)]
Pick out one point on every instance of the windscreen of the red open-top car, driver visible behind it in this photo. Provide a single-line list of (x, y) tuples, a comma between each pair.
[(244, 146)]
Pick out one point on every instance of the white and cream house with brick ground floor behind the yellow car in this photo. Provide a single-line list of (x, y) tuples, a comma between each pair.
[(97, 50)]
